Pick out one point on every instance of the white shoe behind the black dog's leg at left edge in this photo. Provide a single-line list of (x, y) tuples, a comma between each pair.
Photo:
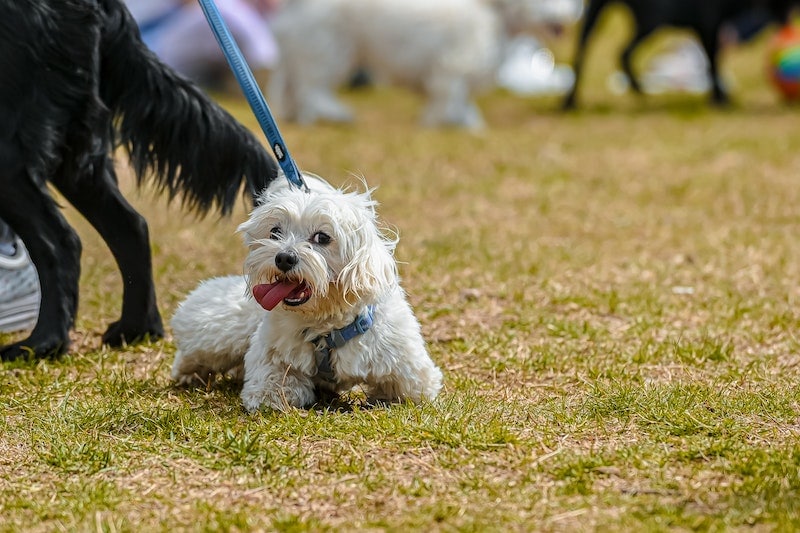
[(19, 291)]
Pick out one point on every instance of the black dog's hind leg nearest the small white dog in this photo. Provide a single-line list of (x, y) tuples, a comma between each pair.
[(98, 198)]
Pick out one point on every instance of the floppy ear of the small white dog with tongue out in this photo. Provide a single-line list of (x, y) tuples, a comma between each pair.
[(371, 269)]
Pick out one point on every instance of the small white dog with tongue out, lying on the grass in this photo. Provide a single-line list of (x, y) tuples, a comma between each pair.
[(320, 306)]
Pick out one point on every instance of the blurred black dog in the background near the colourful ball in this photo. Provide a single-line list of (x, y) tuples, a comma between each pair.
[(705, 17)]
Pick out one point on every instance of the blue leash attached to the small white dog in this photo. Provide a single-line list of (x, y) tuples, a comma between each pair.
[(253, 94)]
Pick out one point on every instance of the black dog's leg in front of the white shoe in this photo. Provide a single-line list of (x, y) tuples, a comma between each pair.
[(54, 248)]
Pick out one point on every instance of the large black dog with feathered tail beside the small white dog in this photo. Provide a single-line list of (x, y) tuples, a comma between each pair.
[(77, 82)]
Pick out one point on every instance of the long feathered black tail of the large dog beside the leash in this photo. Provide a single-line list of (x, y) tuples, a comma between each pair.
[(170, 128)]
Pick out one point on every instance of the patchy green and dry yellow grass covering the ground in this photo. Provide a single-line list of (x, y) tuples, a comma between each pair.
[(612, 294)]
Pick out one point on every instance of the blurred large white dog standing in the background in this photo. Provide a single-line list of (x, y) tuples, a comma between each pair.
[(447, 49)]
